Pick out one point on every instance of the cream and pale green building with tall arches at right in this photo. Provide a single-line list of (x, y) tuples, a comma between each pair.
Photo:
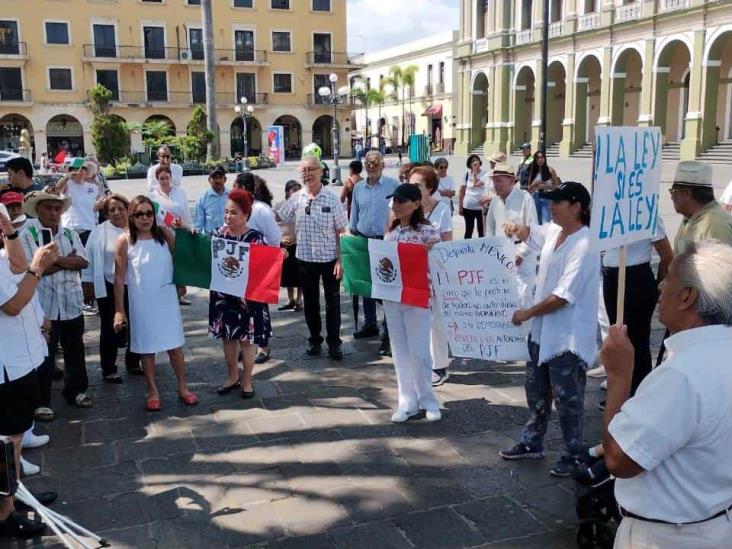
[(665, 63)]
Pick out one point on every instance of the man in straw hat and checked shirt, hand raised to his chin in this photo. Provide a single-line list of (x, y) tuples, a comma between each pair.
[(61, 297)]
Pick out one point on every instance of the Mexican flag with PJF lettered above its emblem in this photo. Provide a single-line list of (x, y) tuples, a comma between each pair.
[(240, 269)]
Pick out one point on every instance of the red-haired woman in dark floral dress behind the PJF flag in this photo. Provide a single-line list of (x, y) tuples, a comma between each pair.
[(241, 323)]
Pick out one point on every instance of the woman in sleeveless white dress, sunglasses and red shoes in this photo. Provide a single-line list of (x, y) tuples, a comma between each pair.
[(144, 261)]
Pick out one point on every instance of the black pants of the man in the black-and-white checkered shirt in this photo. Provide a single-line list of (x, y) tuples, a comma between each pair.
[(310, 275)]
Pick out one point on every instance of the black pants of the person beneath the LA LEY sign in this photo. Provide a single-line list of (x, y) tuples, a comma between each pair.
[(641, 295)]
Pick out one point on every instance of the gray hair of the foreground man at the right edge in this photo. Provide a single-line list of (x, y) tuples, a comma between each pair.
[(706, 266)]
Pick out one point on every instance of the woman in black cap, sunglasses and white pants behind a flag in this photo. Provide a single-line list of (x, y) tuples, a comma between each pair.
[(410, 326)]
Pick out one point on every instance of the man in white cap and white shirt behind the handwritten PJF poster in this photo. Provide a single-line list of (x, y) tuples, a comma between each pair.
[(514, 205)]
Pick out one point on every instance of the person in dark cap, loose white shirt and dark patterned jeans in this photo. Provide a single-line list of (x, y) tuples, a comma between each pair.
[(563, 331)]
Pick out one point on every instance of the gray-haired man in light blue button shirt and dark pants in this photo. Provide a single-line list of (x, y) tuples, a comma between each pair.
[(369, 217)]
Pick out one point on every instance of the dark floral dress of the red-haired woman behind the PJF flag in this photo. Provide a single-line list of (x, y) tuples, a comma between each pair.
[(234, 318)]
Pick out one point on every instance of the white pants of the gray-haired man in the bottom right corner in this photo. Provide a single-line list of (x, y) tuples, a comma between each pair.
[(641, 534)]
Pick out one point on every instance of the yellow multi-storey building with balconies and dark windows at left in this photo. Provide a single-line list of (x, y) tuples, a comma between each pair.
[(149, 53)]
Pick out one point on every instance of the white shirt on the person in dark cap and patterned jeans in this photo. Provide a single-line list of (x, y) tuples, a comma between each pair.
[(570, 272)]
